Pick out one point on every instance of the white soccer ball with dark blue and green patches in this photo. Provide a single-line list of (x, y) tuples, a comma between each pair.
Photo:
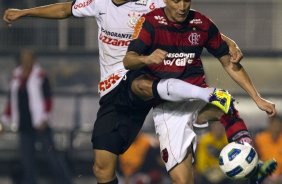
[(238, 160)]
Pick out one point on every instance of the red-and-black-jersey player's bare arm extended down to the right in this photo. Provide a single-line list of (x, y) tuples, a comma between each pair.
[(240, 76)]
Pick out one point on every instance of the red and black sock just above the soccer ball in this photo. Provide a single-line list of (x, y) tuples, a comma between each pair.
[(235, 128)]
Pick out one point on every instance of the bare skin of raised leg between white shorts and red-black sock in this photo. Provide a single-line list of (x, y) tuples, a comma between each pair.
[(209, 113)]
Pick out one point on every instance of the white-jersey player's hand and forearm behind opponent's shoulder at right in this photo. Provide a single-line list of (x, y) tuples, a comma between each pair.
[(234, 50)]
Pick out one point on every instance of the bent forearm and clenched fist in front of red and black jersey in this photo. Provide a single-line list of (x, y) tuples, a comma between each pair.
[(133, 60)]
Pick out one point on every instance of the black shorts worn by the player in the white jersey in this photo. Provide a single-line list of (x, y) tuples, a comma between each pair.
[(120, 117)]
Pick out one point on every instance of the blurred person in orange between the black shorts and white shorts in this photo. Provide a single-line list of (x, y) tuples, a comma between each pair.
[(141, 163)]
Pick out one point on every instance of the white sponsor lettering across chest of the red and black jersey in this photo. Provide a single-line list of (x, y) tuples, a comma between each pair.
[(179, 59)]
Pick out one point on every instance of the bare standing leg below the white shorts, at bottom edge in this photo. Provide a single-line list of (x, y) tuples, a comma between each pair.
[(183, 172)]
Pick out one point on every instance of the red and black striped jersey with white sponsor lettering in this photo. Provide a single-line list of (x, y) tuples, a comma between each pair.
[(184, 43)]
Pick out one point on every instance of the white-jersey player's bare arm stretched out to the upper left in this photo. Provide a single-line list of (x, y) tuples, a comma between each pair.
[(52, 11)]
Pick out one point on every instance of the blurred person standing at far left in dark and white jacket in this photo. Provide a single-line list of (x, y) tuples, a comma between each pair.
[(28, 109)]
